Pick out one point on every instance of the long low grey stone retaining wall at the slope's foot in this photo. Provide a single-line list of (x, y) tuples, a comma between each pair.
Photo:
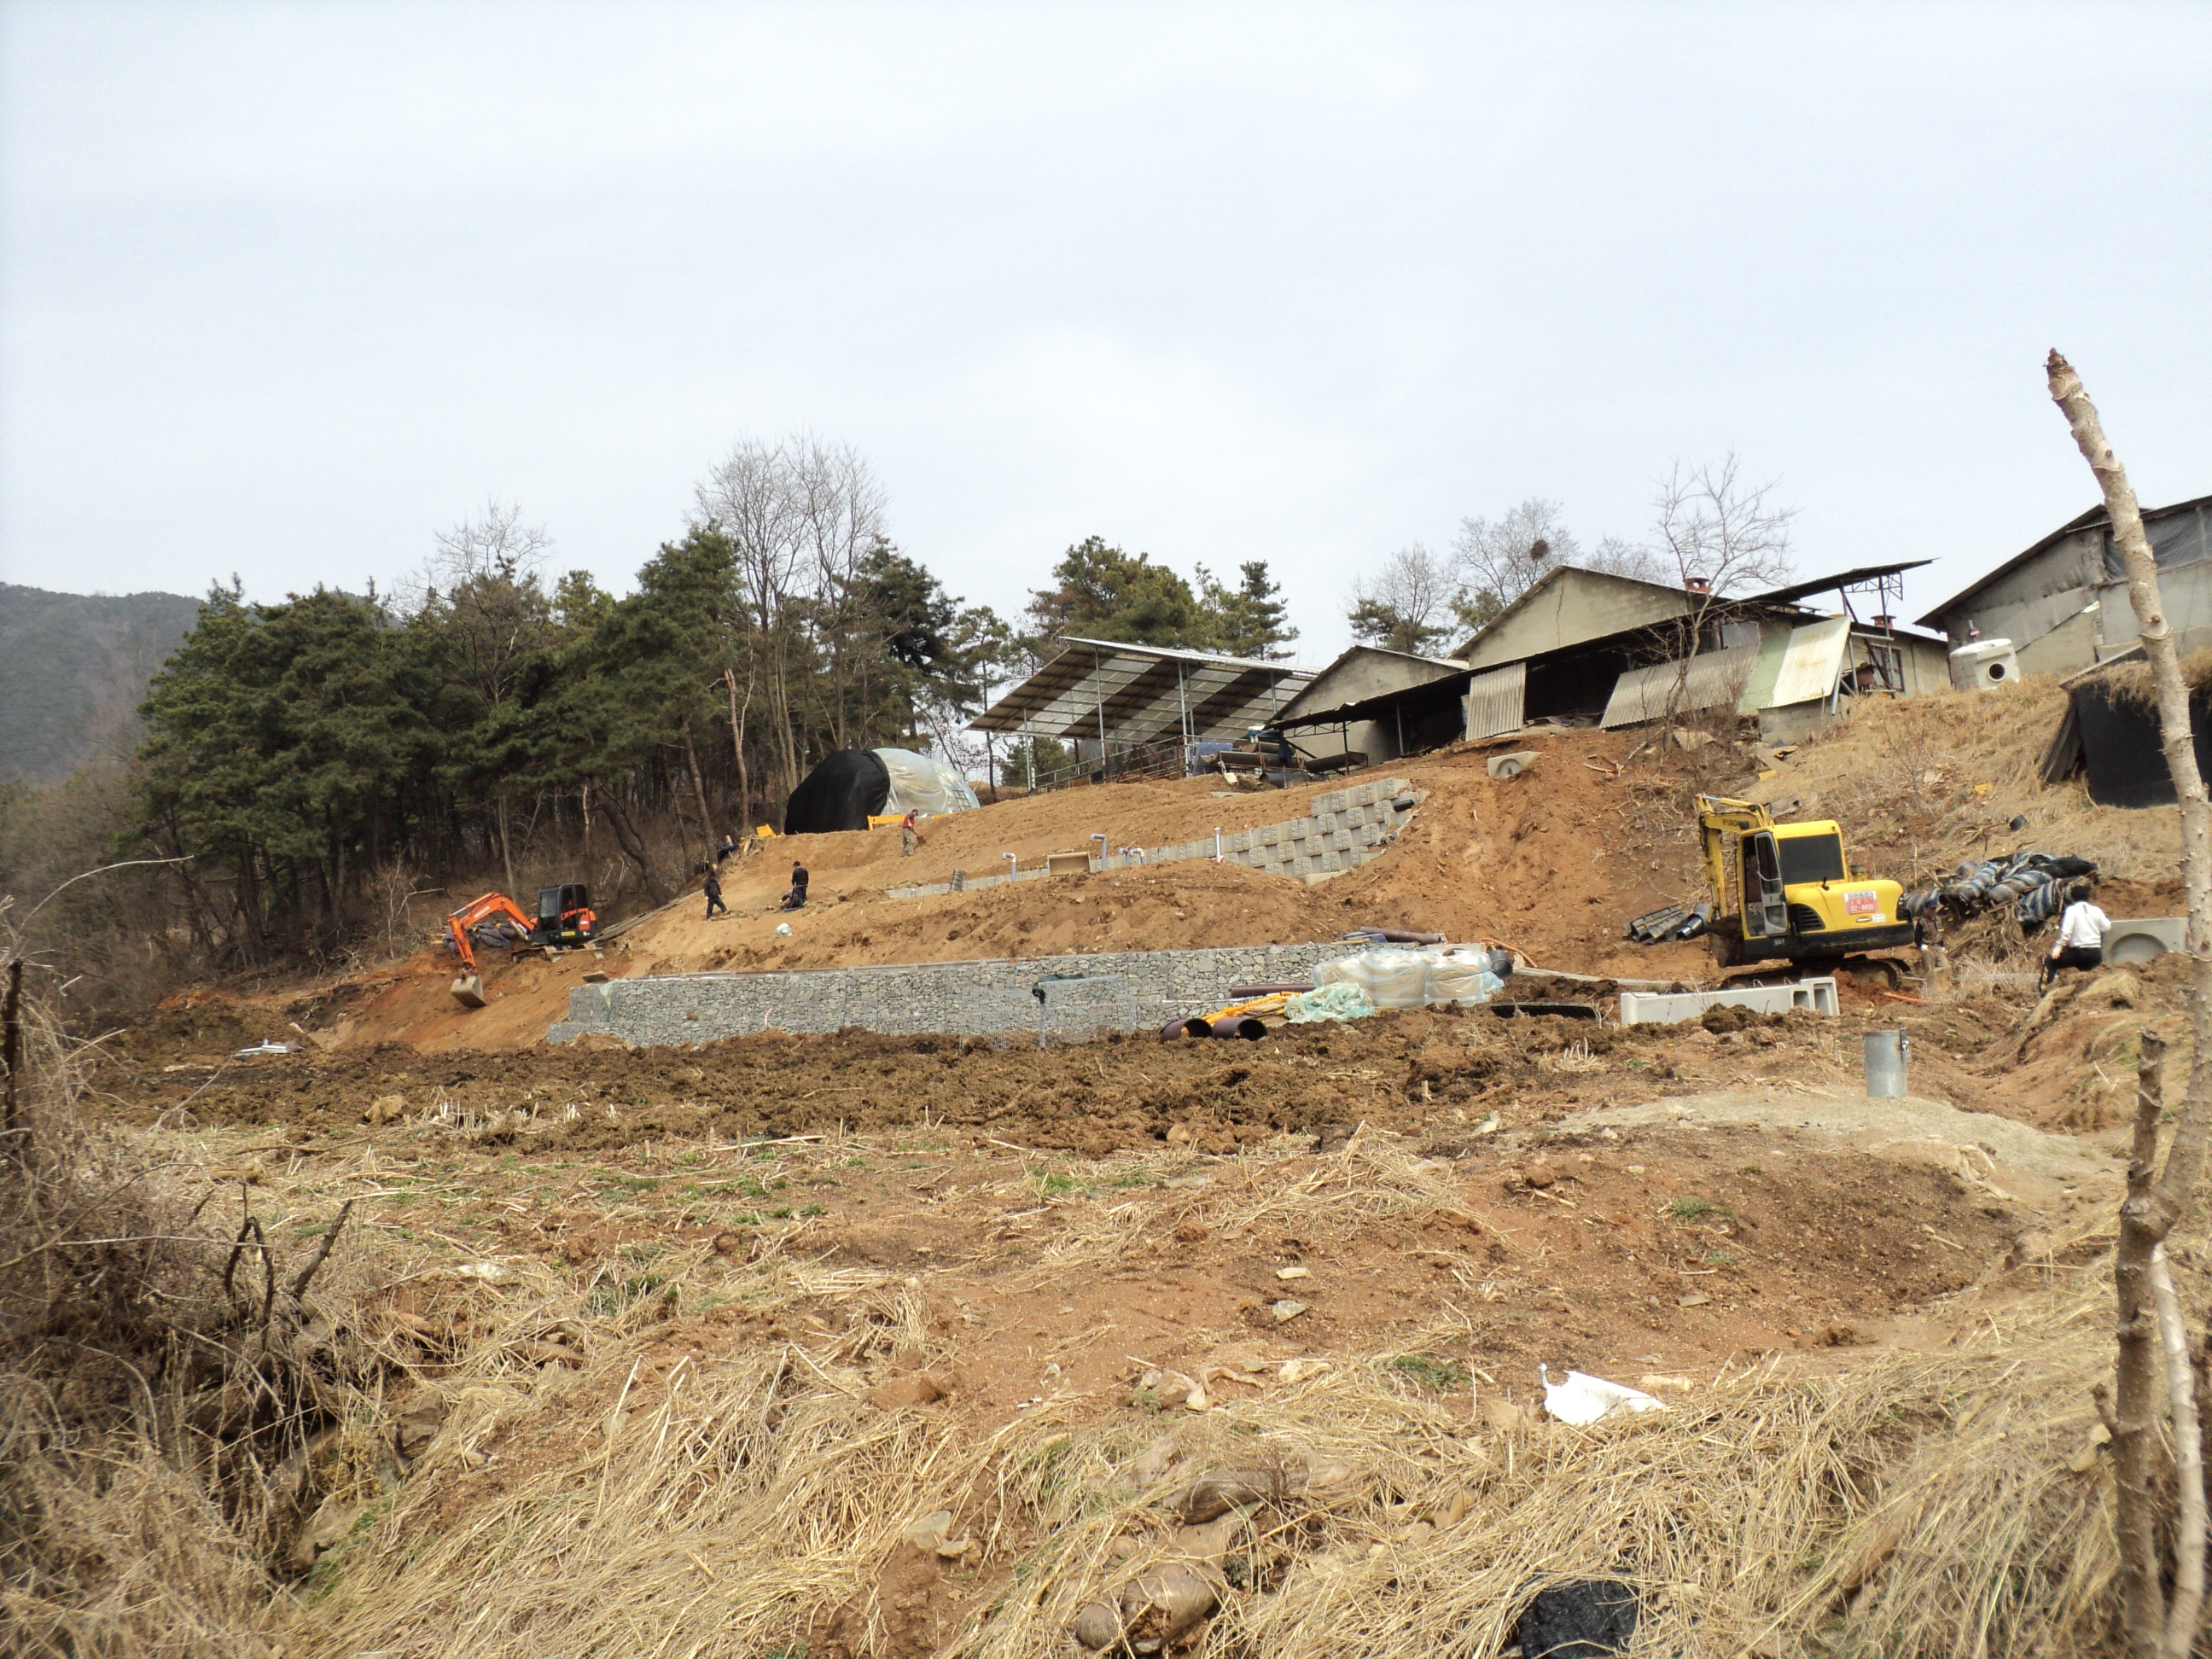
[(1083, 997)]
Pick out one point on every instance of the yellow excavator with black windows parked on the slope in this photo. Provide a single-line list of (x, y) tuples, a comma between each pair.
[(1797, 897)]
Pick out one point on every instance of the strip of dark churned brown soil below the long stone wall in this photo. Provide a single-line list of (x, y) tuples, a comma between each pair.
[(1446, 1074)]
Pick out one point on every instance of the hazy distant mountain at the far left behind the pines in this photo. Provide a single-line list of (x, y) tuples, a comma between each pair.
[(74, 671)]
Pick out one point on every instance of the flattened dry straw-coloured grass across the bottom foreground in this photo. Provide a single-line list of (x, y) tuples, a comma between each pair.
[(1917, 1505)]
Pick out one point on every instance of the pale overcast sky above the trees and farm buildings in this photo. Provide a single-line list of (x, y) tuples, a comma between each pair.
[(289, 289)]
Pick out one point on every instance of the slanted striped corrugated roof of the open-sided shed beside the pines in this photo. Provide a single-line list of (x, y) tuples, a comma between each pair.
[(1142, 693)]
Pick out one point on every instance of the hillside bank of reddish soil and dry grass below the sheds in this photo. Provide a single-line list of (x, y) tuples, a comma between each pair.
[(1552, 862)]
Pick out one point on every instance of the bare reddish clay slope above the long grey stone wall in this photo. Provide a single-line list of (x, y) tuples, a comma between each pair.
[(1552, 862)]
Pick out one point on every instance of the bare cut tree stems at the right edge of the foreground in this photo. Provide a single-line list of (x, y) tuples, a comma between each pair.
[(2153, 1207)]
